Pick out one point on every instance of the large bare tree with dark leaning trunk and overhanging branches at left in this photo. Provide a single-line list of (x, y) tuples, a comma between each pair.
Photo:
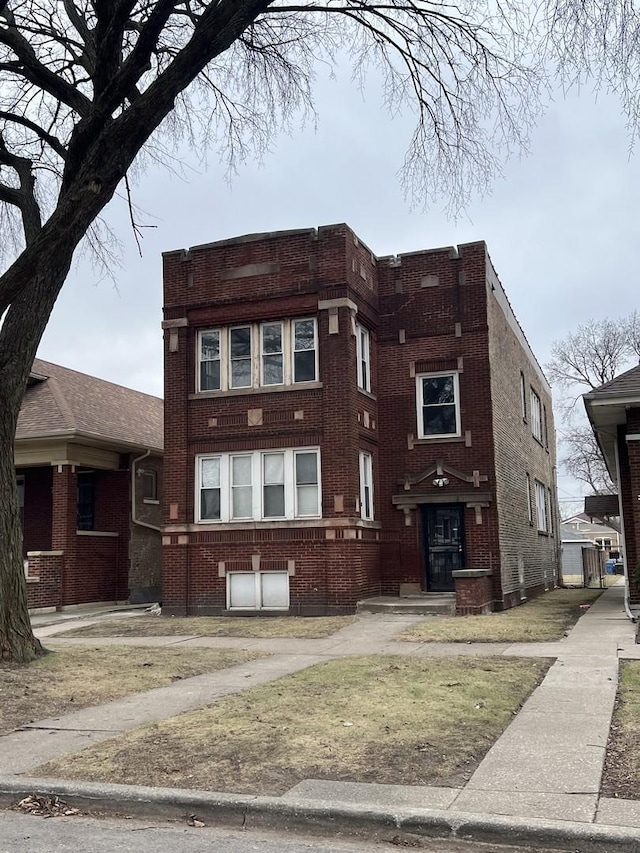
[(88, 86)]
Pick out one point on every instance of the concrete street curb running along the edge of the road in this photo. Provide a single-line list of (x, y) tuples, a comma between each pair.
[(328, 818)]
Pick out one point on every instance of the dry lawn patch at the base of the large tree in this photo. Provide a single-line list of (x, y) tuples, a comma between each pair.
[(75, 677)]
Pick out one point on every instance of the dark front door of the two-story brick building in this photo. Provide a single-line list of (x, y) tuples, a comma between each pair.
[(443, 533)]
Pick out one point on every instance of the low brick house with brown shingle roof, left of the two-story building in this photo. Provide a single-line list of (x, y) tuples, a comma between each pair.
[(83, 448)]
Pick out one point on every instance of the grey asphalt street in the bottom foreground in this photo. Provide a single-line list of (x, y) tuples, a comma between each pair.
[(22, 833)]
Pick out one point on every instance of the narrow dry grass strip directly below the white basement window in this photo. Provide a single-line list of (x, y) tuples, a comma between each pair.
[(293, 627)]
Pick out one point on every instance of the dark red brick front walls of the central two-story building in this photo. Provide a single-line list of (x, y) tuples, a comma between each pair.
[(414, 328)]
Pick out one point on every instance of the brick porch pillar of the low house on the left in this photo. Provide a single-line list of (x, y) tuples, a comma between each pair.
[(64, 522)]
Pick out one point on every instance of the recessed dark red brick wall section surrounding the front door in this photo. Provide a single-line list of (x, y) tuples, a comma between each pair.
[(439, 324)]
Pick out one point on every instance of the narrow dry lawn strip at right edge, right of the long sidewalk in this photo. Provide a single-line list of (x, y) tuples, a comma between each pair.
[(621, 776)]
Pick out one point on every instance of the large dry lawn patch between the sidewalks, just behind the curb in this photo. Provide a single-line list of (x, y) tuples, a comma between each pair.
[(373, 719)]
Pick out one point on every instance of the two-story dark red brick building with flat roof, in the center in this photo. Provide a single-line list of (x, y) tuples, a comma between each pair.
[(339, 426)]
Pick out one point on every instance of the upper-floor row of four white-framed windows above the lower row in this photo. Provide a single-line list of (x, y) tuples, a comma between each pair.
[(258, 355)]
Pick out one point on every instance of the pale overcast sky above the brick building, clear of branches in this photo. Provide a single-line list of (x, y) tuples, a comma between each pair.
[(562, 226)]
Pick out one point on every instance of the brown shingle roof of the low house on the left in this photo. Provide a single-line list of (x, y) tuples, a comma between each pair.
[(59, 400)]
